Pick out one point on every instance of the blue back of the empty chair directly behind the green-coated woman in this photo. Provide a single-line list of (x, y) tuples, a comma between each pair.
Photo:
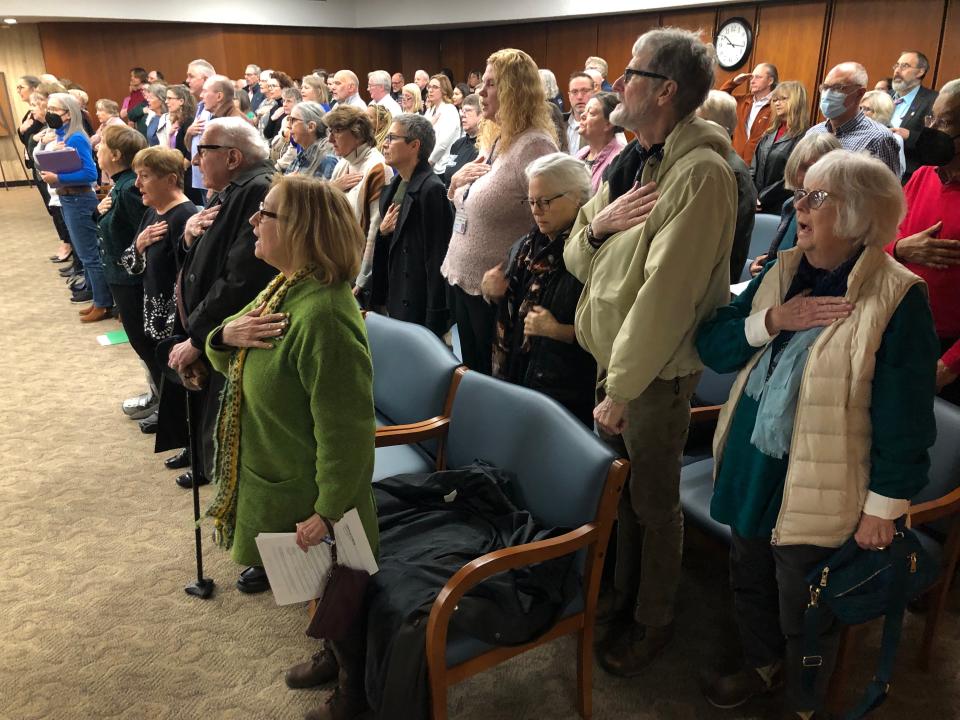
[(412, 370)]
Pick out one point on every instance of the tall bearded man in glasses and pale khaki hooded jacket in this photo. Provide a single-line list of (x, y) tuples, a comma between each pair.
[(653, 251)]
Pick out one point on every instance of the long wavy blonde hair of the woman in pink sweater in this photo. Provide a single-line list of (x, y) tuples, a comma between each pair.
[(520, 96)]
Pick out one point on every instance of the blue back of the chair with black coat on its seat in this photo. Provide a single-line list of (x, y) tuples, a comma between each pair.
[(561, 467)]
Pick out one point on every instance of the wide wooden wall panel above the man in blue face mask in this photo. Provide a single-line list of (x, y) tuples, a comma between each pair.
[(874, 32)]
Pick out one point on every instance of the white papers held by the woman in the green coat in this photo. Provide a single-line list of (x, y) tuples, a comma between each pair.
[(298, 576)]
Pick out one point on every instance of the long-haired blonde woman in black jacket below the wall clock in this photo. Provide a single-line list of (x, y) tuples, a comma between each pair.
[(788, 123)]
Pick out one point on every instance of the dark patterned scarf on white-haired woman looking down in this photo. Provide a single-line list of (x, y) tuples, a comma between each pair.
[(538, 259)]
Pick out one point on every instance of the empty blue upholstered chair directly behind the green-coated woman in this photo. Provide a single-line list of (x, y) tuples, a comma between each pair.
[(413, 376)]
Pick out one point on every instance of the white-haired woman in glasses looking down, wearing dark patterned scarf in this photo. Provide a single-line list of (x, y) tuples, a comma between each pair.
[(535, 343)]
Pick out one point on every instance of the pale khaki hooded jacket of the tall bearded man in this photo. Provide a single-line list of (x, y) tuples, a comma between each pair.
[(648, 288)]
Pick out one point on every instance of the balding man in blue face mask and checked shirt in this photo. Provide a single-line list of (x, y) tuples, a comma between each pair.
[(840, 95)]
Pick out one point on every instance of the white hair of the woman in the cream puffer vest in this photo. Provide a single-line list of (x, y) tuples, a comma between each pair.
[(868, 195)]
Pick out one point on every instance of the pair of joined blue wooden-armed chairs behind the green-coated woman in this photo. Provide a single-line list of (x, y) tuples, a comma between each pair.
[(434, 414)]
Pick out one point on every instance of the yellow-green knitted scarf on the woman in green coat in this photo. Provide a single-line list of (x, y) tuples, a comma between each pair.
[(227, 449)]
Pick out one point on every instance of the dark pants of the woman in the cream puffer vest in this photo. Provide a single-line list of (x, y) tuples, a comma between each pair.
[(770, 594)]
